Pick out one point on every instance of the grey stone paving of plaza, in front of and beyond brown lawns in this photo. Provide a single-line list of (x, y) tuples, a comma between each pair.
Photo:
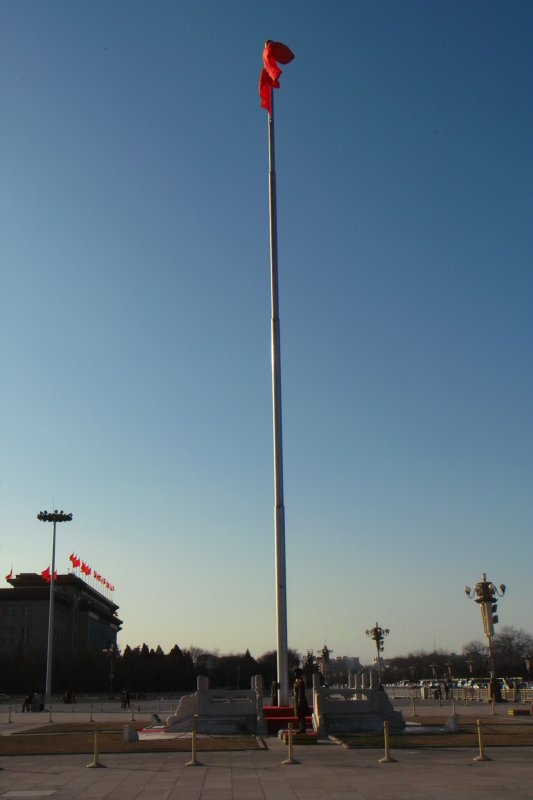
[(326, 771)]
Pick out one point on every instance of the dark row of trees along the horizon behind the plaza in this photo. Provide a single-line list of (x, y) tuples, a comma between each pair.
[(144, 669)]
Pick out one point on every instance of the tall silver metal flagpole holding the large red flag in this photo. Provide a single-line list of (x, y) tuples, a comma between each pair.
[(279, 507)]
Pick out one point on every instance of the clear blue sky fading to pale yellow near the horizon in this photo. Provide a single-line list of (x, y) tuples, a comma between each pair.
[(136, 376)]
